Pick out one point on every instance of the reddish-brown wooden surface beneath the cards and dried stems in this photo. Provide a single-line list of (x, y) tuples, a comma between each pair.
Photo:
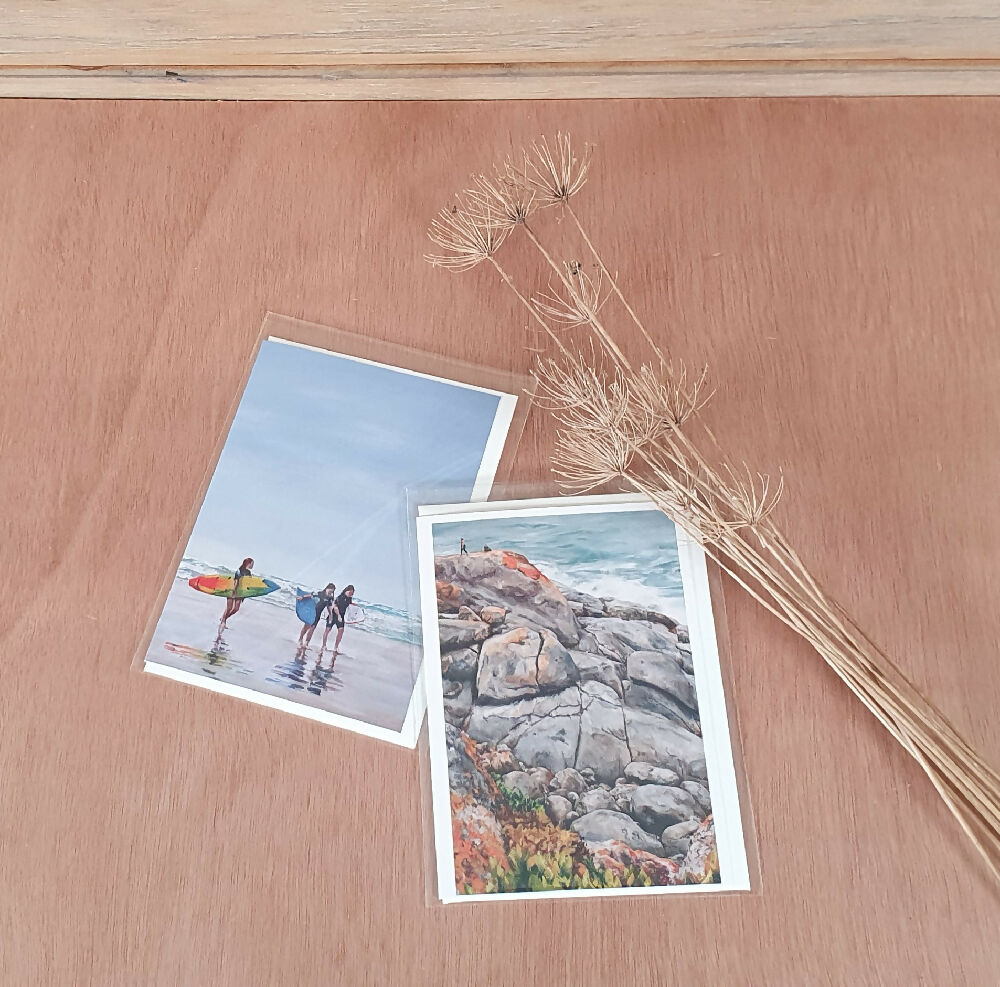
[(836, 263)]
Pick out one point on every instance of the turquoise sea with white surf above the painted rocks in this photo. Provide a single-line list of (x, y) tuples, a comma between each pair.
[(628, 555)]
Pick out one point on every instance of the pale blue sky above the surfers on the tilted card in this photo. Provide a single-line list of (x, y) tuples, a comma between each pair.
[(311, 483)]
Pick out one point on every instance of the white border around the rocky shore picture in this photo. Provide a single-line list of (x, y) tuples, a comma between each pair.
[(733, 863)]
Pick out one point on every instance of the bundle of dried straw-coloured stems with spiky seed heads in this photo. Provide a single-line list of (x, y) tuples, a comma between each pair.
[(621, 421)]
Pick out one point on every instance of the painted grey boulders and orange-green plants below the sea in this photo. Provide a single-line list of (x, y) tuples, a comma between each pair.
[(575, 757)]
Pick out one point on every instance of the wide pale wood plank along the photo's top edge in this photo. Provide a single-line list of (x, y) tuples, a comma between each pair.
[(366, 31)]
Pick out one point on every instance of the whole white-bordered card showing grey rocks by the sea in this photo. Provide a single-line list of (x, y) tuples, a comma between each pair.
[(578, 731)]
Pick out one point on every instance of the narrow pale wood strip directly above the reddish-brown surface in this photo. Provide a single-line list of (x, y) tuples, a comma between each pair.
[(535, 81)]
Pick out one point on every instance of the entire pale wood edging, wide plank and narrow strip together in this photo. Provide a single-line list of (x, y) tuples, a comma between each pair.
[(388, 49)]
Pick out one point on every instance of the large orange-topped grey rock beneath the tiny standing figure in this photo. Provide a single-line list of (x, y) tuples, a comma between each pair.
[(508, 580)]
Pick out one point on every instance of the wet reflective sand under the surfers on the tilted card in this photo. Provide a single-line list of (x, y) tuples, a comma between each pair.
[(371, 679)]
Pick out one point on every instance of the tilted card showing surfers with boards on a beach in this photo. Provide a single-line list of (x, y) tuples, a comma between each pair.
[(296, 581)]
